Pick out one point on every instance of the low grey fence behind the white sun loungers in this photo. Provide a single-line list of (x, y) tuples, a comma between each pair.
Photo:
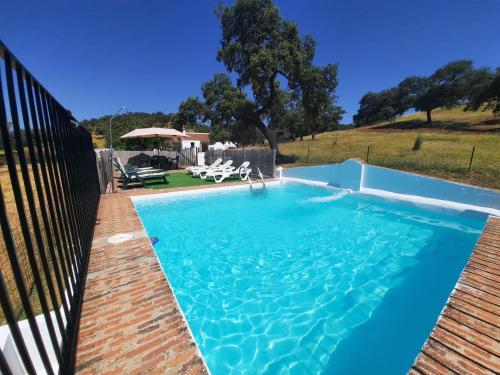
[(263, 159)]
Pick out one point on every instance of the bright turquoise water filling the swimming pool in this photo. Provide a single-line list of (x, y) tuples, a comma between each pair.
[(304, 280)]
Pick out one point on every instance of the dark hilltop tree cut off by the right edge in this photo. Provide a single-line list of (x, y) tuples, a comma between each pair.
[(485, 91)]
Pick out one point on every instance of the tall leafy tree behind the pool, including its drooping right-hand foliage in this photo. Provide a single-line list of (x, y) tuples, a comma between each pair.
[(264, 50)]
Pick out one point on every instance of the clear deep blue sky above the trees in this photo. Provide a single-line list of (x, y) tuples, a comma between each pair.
[(97, 55)]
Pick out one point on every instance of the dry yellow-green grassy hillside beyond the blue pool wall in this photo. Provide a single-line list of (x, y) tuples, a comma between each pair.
[(445, 152)]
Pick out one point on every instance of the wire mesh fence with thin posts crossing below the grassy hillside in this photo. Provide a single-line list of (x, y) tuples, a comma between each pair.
[(466, 162)]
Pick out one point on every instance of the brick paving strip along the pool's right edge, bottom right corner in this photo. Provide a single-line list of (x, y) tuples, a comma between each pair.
[(466, 338)]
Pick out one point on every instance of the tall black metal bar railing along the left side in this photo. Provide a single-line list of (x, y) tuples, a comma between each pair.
[(49, 195)]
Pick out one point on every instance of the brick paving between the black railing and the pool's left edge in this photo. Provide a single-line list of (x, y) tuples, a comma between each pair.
[(130, 321)]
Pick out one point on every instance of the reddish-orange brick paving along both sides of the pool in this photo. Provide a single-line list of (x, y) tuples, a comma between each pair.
[(131, 322)]
